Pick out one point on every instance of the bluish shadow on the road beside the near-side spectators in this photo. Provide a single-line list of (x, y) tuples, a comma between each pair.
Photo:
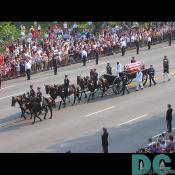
[(124, 139)]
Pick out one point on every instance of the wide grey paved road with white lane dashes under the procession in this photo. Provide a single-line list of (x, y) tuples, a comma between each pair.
[(130, 119)]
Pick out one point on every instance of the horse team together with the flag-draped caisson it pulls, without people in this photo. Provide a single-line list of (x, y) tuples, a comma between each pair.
[(85, 85)]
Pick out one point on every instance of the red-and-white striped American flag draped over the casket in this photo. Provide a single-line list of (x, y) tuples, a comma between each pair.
[(132, 67)]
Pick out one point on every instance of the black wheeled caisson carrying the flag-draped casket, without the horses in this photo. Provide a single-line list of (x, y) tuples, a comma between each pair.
[(130, 70)]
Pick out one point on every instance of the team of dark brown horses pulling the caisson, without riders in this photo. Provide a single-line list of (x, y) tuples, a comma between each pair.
[(32, 106)]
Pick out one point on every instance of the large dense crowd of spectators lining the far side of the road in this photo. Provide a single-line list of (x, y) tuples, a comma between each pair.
[(69, 42)]
